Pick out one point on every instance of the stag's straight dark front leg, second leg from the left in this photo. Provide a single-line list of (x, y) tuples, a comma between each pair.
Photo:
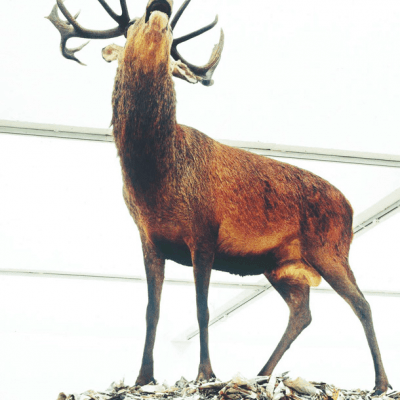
[(202, 265)]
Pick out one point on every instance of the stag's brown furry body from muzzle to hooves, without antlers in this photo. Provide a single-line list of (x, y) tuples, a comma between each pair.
[(201, 203)]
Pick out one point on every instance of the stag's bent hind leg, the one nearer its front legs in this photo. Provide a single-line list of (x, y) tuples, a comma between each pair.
[(295, 291)]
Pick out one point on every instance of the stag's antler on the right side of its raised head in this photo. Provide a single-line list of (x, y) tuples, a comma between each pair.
[(204, 72)]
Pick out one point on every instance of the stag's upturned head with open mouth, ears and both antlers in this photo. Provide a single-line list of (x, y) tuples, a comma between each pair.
[(155, 22)]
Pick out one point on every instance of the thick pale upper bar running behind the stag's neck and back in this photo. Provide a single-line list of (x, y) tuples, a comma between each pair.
[(265, 149)]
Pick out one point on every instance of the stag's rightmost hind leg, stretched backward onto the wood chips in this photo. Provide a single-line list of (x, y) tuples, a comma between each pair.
[(342, 280)]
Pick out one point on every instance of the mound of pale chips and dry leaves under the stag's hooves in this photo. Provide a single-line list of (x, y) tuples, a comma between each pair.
[(261, 388)]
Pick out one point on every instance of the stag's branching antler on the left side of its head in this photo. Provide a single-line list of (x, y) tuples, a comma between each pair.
[(71, 28)]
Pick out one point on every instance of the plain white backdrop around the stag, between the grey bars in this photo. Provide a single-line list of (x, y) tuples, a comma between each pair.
[(310, 73)]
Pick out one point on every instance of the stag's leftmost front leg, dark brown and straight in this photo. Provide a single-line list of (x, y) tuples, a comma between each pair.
[(155, 266)]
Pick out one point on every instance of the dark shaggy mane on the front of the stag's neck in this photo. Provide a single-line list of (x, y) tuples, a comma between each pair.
[(144, 119)]
